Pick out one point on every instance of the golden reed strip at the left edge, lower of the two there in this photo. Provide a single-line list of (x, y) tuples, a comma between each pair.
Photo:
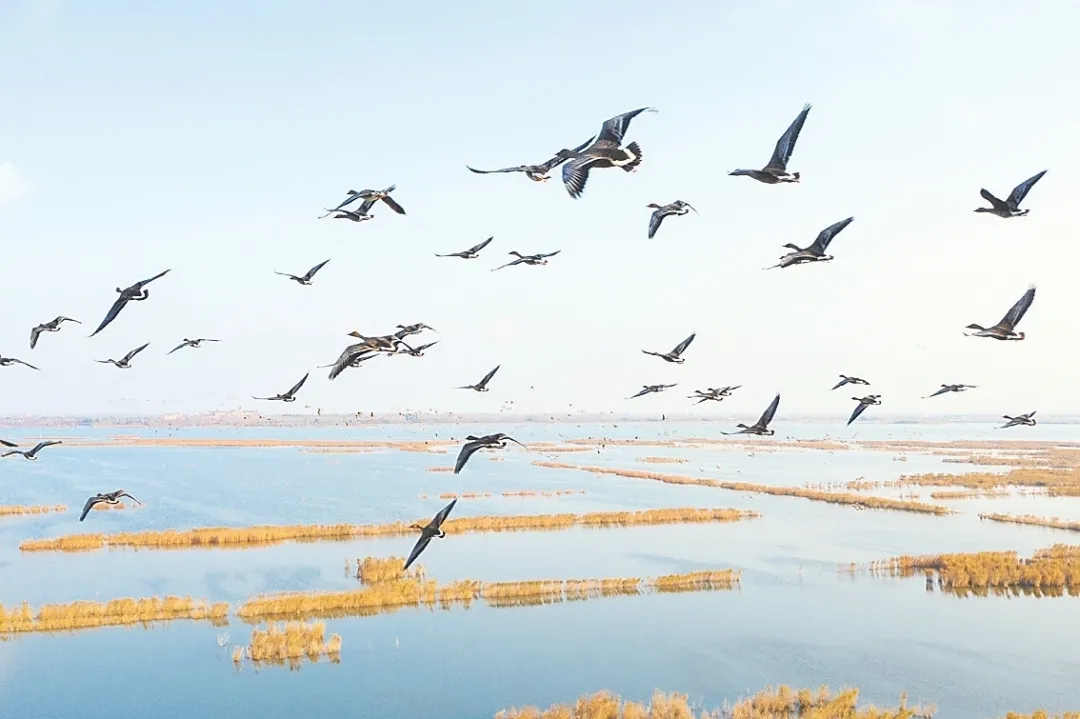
[(87, 615)]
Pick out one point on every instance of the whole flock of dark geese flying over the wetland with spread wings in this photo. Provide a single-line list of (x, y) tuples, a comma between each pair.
[(605, 151)]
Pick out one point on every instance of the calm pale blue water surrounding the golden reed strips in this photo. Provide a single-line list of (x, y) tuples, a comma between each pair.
[(795, 619)]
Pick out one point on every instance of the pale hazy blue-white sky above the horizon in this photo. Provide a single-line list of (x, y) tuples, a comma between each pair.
[(208, 137)]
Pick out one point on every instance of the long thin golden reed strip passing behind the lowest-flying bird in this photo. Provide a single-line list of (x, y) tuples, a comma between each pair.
[(240, 538)]
